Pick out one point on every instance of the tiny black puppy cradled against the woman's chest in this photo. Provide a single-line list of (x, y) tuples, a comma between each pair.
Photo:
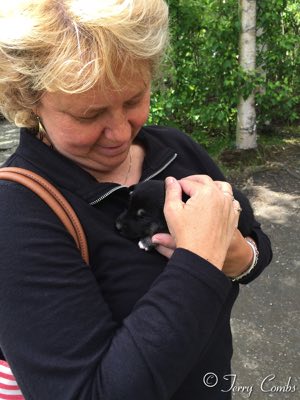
[(144, 216)]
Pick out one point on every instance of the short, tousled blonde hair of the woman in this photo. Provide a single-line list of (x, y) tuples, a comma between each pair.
[(71, 45)]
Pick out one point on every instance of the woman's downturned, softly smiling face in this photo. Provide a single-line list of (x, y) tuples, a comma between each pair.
[(96, 128)]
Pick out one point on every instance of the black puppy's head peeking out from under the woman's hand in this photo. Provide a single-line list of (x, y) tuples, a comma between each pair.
[(144, 216)]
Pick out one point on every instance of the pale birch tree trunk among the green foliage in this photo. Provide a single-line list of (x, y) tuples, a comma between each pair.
[(246, 120)]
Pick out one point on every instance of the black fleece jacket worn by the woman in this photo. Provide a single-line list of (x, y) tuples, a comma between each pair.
[(132, 325)]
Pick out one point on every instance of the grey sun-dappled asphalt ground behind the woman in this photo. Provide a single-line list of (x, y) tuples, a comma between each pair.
[(265, 320)]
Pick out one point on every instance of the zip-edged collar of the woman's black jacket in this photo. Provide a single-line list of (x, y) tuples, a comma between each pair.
[(67, 175)]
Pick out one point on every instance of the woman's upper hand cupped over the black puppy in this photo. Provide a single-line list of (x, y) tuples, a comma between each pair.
[(205, 224)]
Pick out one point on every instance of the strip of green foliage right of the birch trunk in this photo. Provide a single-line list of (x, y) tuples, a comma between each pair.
[(279, 57)]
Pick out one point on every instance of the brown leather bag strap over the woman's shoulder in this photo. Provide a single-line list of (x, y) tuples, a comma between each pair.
[(55, 200)]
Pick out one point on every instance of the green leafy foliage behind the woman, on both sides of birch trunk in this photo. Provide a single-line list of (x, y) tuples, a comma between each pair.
[(202, 78)]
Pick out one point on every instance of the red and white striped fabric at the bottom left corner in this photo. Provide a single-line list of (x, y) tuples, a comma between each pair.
[(9, 389)]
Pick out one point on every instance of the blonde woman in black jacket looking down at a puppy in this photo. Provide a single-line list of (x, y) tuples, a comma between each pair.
[(76, 76)]
